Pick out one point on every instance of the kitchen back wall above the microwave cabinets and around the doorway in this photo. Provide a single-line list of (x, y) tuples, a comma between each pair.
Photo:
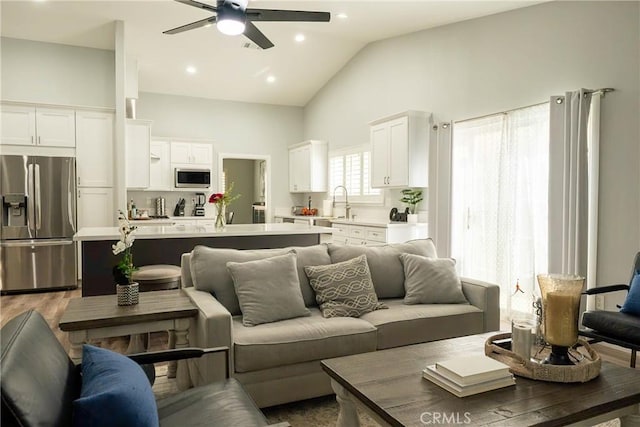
[(235, 127)]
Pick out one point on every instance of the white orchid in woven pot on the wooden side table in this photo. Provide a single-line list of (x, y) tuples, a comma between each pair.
[(126, 290)]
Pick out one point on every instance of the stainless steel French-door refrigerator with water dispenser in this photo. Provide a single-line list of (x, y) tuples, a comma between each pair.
[(38, 197)]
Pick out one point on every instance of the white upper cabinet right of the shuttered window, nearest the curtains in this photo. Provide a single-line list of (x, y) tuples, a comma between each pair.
[(400, 150)]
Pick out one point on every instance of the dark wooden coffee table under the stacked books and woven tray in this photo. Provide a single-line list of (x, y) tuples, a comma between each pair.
[(388, 385)]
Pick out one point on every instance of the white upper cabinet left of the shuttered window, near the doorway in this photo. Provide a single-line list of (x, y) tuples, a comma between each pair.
[(308, 164)]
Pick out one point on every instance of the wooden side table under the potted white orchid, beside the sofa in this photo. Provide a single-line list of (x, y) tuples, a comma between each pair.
[(98, 317)]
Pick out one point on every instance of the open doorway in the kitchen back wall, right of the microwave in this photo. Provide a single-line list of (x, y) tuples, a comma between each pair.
[(250, 175)]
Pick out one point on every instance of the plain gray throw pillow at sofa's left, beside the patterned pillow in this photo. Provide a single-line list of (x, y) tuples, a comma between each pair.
[(268, 290)]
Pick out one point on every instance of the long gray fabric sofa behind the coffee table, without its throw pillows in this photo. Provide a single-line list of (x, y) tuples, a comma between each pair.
[(279, 362)]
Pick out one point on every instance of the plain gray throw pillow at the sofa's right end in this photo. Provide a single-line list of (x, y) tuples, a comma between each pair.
[(431, 280)]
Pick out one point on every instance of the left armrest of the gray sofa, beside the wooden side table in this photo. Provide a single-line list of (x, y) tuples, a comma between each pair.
[(211, 328)]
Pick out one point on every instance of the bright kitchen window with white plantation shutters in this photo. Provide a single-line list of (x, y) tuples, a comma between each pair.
[(351, 168)]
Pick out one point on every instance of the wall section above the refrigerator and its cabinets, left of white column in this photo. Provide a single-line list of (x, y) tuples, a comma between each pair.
[(57, 74)]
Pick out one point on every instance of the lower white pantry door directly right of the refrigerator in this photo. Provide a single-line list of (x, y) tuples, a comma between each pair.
[(96, 208)]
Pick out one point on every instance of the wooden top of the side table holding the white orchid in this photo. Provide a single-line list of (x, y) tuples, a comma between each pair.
[(104, 311)]
